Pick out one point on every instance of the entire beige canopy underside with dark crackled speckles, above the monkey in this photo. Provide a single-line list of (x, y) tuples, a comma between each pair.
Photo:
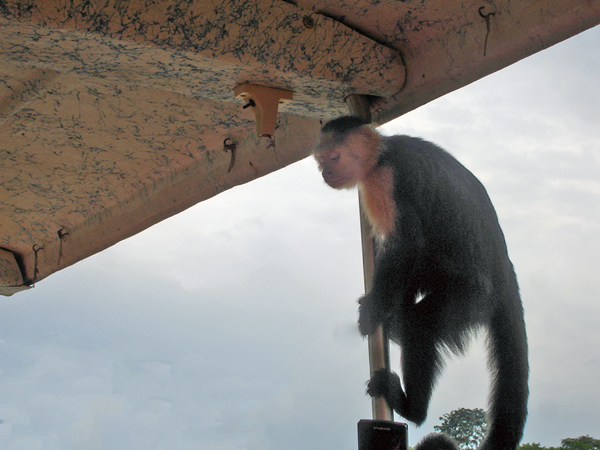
[(113, 115)]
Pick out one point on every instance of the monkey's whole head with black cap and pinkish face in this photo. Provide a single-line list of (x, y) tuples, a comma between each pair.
[(347, 151)]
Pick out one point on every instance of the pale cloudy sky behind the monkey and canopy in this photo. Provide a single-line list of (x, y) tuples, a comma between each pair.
[(233, 324)]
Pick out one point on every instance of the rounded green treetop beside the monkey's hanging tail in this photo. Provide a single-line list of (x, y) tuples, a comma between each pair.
[(466, 426)]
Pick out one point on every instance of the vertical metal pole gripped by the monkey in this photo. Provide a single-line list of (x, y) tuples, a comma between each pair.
[(379, 355)]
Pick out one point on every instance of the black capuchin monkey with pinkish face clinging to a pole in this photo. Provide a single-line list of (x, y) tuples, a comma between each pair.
[(441, 272)]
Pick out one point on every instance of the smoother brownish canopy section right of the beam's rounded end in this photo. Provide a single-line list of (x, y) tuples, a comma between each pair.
[(449, 44)]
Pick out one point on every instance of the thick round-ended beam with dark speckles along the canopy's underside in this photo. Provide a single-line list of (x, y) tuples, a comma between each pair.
[(203, 48)]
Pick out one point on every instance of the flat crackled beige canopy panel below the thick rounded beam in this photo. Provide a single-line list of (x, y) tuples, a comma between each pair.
[(97, 163)]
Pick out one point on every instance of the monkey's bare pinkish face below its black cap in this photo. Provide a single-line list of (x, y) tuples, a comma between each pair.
[(340, 164)]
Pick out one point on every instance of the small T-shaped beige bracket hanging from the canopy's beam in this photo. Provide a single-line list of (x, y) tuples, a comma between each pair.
[(265, 102)]
